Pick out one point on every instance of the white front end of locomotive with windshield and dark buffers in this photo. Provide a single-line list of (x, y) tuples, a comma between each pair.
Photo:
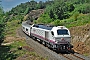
[(62, 38)]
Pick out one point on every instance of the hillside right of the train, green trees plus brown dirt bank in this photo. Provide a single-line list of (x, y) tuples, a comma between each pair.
[(76, 16)]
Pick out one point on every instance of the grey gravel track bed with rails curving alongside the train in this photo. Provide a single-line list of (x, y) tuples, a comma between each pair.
[(45, 52)]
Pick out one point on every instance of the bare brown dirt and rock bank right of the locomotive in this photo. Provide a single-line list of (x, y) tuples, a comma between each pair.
[(81, 38)]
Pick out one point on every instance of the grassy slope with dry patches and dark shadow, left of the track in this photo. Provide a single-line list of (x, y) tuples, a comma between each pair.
[(10, 51)]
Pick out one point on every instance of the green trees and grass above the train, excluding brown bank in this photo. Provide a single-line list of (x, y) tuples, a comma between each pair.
[(66, 12)]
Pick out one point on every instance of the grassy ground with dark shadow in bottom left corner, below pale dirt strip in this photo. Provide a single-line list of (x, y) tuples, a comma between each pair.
[(11, 52)]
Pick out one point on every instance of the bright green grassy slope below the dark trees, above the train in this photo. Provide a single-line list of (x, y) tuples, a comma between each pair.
[(75, 20)]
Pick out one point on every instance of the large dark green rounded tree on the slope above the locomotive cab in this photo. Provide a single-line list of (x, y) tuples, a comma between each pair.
[(61, 9)]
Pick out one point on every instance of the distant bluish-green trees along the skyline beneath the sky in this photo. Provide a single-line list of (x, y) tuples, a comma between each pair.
[(24, 8)]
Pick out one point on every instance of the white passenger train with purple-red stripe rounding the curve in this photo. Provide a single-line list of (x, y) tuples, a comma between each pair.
[(57, 38)]
